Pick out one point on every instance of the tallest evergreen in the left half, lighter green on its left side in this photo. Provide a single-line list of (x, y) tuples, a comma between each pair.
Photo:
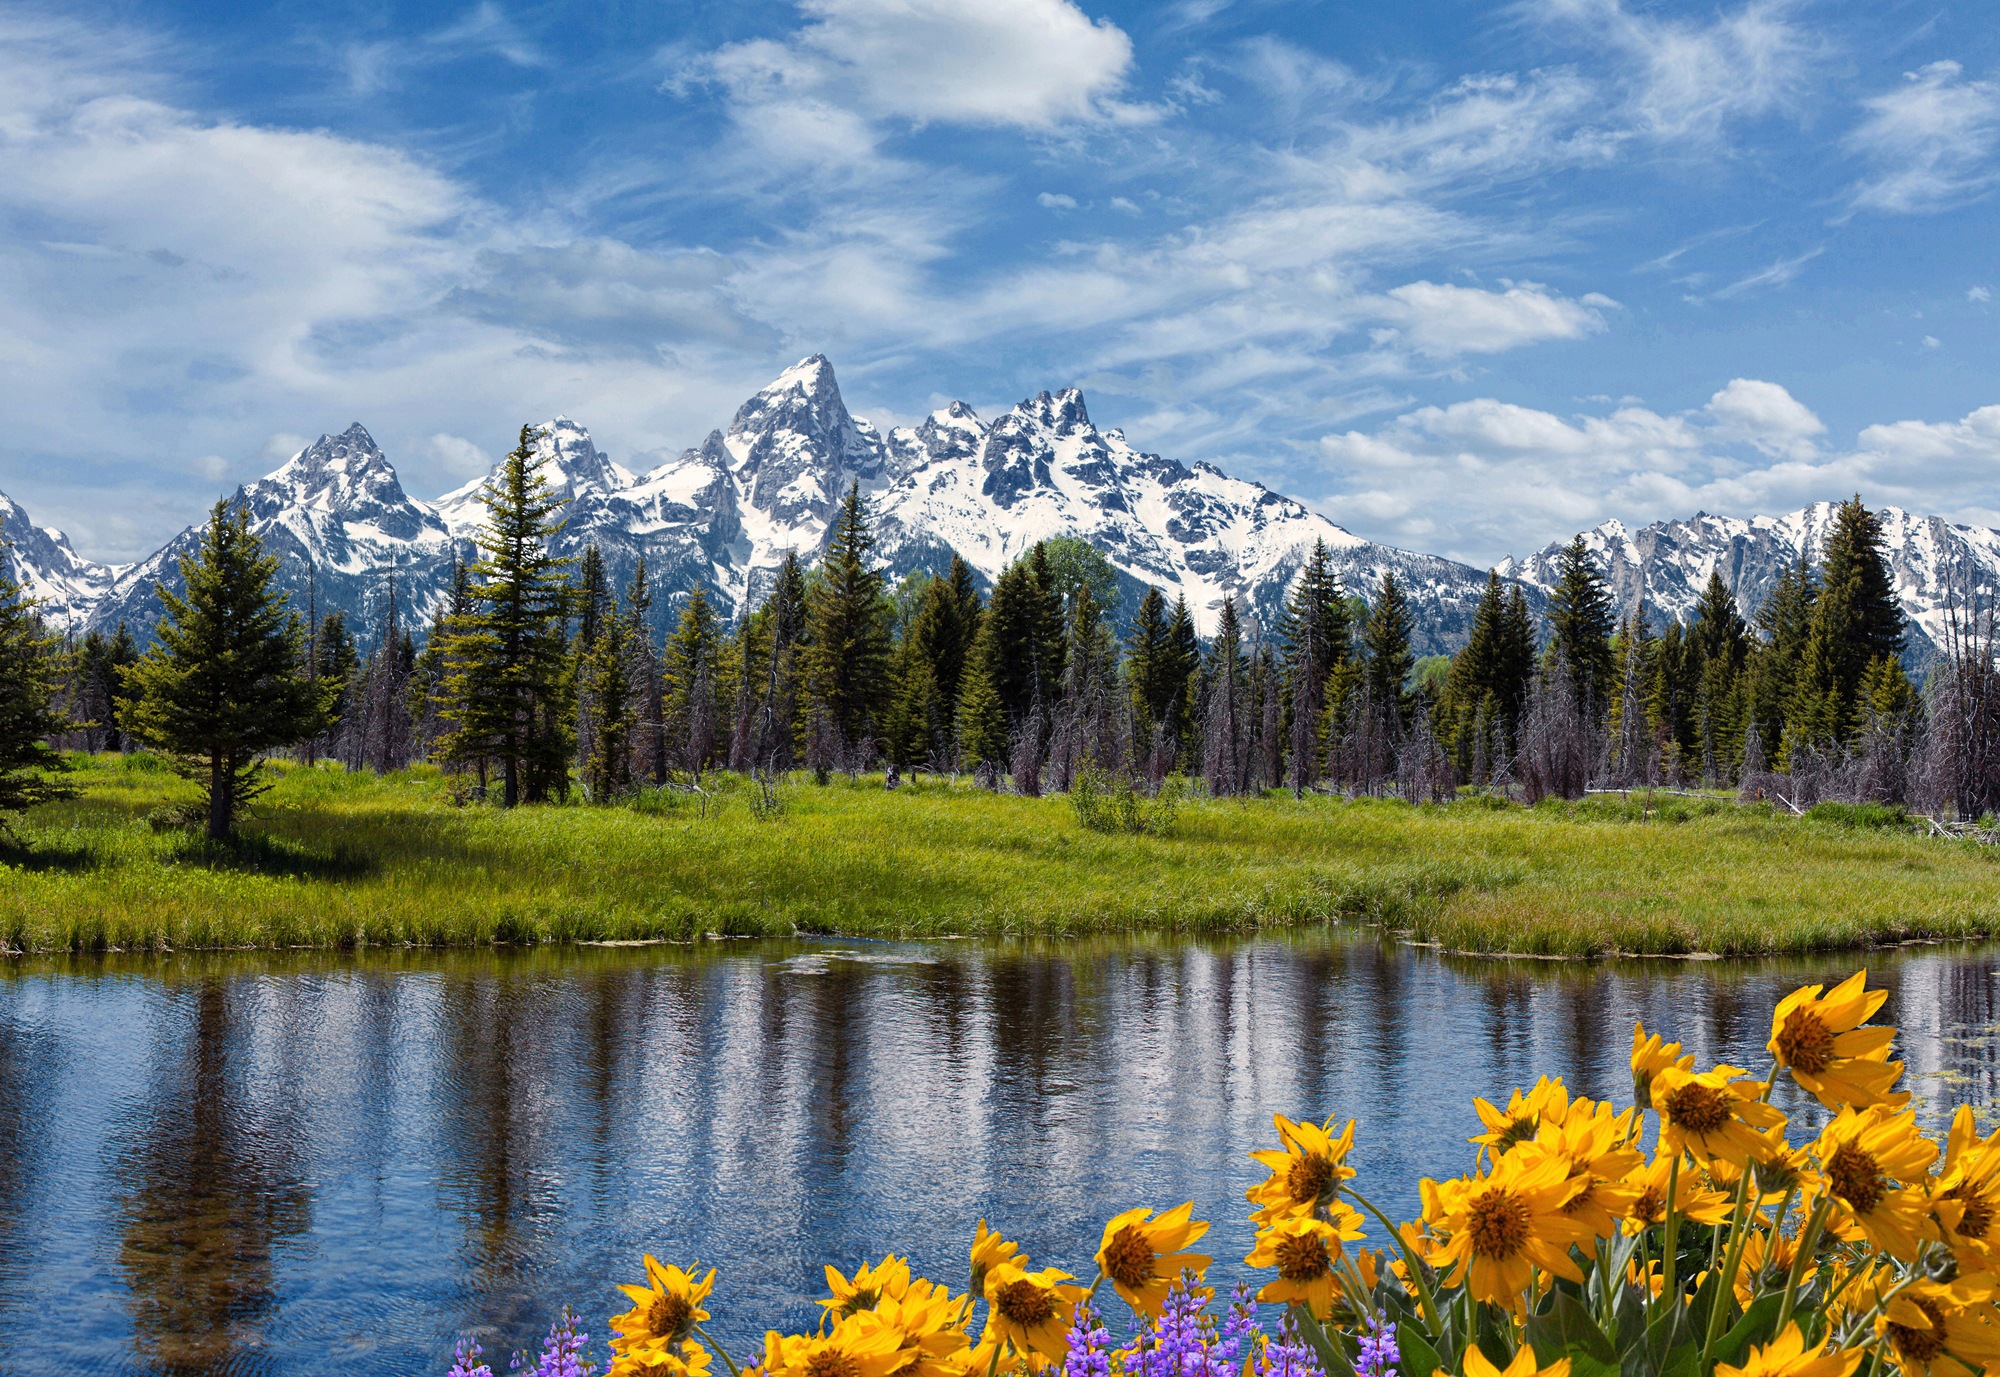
[(511, 683)]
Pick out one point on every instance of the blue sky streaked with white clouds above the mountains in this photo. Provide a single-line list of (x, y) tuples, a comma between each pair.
[(1463, 277)]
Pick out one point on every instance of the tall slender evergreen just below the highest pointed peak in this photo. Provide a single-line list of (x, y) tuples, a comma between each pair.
[(847, 671)]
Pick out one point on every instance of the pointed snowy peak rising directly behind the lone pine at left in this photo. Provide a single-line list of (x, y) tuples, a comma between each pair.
[(343, 531)]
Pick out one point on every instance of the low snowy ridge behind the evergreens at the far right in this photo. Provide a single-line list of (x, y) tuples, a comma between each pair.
[(1667, 565)]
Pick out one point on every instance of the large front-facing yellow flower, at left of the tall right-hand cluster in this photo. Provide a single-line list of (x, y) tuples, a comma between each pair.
[(1501, 1226)]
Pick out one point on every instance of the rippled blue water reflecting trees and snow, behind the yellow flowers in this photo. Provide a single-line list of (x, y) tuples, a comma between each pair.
[(297, 1166)]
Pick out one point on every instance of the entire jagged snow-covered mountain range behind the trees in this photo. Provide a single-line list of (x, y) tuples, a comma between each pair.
[(725, 513)]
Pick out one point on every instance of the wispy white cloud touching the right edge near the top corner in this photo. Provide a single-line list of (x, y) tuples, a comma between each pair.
[(1931, 143)]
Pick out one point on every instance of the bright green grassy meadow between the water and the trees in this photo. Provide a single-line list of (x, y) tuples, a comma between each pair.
[(335, 860)]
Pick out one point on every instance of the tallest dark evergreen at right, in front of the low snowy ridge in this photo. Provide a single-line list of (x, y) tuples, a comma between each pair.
[(1855, 623)]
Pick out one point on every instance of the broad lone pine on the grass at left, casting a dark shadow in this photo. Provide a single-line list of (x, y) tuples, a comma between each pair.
[(223, 683)]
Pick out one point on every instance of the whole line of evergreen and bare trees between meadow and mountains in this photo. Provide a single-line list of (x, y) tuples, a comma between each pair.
[(541, 681)]
